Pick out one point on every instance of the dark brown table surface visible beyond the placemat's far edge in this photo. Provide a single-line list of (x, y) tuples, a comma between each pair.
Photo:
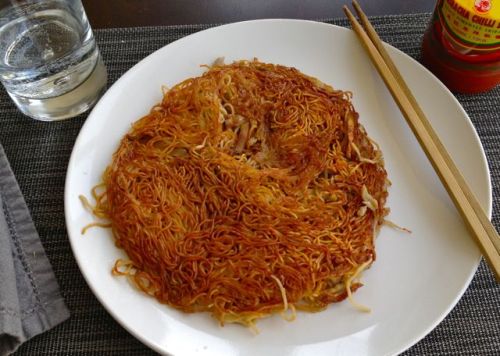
[(134, 13)]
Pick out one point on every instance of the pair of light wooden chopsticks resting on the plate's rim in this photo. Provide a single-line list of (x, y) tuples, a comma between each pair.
[(466, 203)]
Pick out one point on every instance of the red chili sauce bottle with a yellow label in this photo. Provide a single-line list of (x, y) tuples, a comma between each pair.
[(461, 45)]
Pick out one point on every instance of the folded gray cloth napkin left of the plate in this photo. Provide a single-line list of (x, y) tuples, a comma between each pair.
[(30, 302)]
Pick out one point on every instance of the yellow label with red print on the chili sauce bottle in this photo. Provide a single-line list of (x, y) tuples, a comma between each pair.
[(473, 24)]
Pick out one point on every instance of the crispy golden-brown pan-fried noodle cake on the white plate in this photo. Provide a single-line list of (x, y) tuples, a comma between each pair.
[(247, 191)]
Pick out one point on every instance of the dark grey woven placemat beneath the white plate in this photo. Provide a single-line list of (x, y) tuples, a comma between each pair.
[(39, 153)]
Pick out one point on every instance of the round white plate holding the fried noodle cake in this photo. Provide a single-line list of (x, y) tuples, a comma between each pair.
[(416, 279)]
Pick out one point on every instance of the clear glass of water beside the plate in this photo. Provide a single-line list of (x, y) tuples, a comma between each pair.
[(49, 62)]
